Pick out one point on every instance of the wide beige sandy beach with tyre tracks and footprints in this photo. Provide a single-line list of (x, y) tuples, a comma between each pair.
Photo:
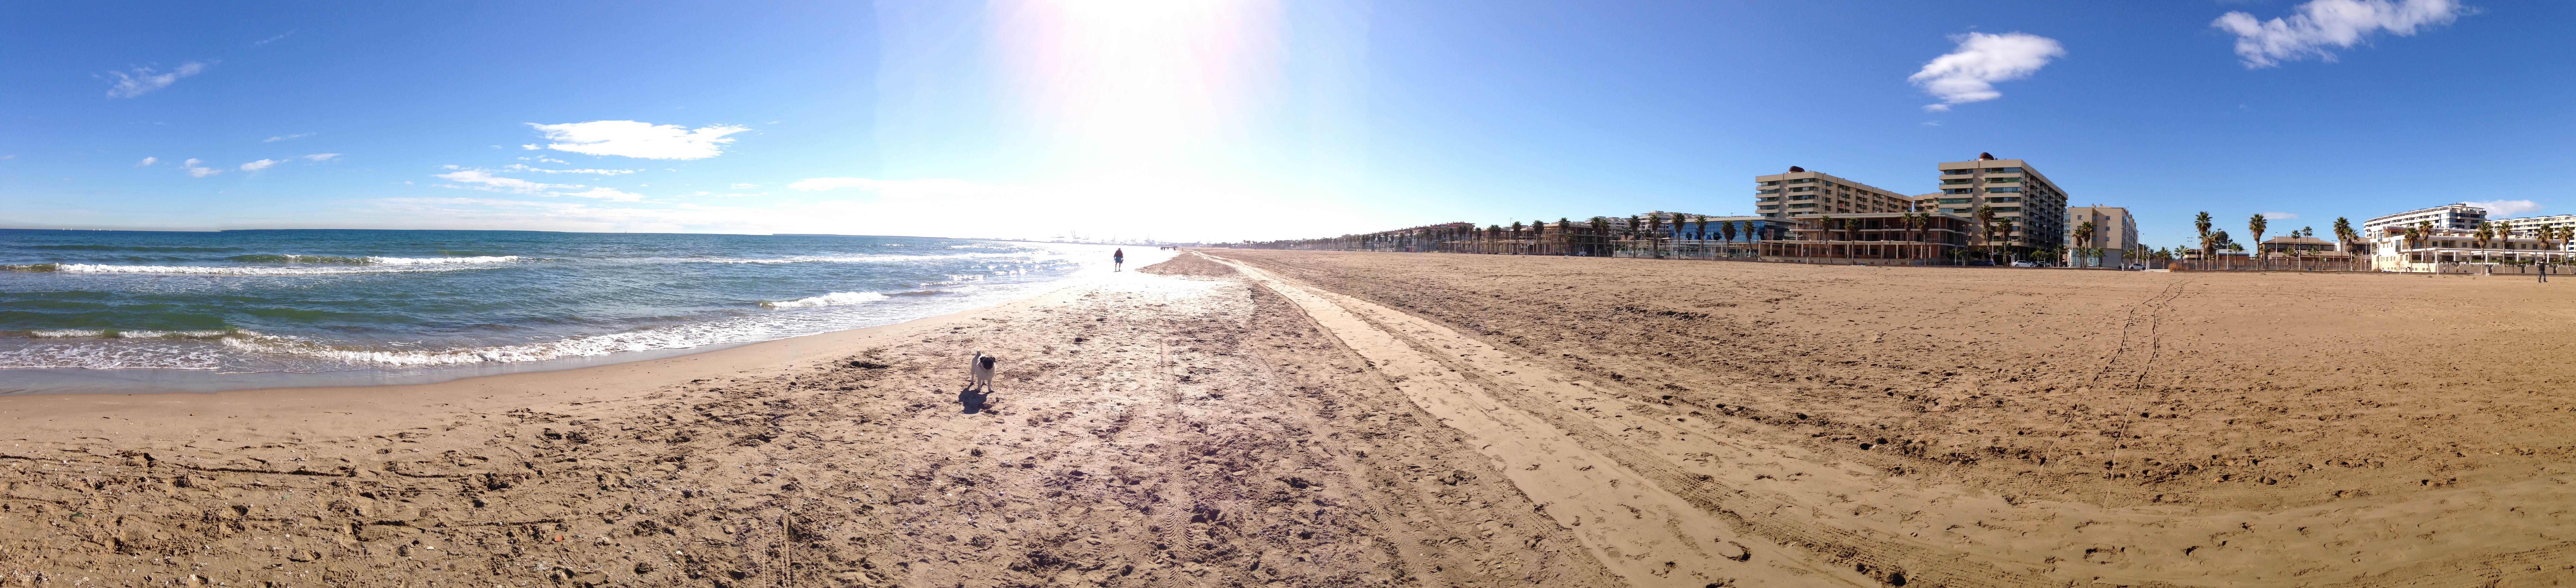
[(1377, 419)]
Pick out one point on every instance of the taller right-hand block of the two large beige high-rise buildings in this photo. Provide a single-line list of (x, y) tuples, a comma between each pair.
[(2016, 192)]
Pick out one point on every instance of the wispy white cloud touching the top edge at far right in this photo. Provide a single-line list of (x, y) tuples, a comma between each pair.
[(2330, 24)]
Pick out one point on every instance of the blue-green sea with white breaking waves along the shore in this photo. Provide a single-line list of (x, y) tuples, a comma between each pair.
[(277, 308)]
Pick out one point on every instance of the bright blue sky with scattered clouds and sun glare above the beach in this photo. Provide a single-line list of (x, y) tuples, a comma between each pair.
[(1251, 120)]
